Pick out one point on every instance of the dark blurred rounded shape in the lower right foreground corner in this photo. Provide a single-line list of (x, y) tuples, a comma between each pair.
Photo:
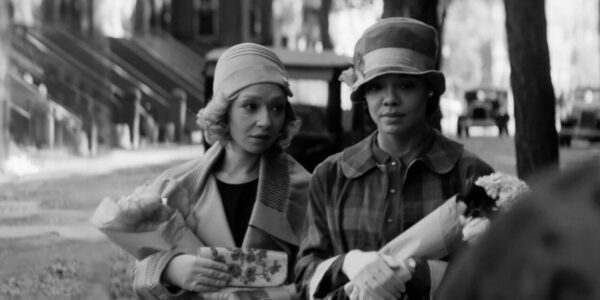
[(547, 247)]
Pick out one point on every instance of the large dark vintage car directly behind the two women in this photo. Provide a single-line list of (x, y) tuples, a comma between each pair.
[(317, 102)]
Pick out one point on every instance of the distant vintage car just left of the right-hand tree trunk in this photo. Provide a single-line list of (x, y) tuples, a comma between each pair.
[(484, 107)]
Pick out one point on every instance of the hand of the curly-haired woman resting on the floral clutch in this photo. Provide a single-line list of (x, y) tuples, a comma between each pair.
[(197, 274)]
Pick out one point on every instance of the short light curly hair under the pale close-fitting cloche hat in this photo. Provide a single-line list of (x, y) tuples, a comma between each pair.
[(213, 120)]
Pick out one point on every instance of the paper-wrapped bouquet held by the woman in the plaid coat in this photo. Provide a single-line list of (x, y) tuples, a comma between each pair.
[(462, 217)]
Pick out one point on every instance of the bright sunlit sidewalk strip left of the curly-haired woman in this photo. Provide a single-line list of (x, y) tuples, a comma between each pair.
[(66, 165)]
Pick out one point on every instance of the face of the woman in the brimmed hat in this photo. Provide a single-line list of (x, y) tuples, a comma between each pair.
[(396, 103)]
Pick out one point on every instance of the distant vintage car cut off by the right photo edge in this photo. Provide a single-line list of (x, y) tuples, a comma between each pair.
[(581, 116)]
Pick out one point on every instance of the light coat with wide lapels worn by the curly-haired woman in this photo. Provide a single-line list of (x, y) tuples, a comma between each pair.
[(275, 223)]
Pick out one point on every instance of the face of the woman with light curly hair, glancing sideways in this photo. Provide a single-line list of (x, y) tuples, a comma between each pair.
[(256, 117)]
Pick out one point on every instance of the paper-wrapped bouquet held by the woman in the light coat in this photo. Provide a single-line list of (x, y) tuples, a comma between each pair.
[(142, 223)]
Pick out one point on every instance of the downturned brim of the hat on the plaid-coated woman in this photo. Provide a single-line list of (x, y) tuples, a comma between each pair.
[(435, 79)]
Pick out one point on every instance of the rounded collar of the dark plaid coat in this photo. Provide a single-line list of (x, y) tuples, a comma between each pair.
[(439, 158)]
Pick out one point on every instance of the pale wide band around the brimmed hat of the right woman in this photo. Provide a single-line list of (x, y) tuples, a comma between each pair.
[(390, 57)]
